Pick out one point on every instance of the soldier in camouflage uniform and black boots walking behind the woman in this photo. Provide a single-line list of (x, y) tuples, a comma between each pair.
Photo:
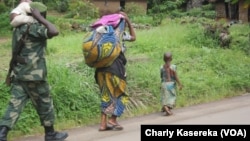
[(30, 78)]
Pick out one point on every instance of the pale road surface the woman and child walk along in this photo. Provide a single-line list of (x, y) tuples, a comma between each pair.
[(228, 111)]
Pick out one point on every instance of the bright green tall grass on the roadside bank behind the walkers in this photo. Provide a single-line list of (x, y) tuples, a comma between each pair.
[(207, 72)]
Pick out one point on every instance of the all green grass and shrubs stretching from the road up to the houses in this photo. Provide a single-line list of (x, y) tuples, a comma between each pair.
[(208, 70)]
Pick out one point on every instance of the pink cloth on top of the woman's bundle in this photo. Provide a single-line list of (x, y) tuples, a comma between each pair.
[(112, 19)]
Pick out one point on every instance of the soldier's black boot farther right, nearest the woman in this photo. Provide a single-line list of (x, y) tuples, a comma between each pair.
[(56, 136)]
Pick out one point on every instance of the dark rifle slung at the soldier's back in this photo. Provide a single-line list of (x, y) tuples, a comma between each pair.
[(16, 58)]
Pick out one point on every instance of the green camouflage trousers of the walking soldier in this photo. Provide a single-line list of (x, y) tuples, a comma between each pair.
[(39, 94)]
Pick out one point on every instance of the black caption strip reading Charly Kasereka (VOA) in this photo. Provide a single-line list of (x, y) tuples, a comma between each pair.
[(195, 132)]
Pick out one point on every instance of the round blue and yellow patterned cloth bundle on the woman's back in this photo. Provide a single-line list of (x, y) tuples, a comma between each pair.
[(103, 45)]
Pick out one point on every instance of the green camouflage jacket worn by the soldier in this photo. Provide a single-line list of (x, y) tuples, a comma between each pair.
[(33, 51)]
